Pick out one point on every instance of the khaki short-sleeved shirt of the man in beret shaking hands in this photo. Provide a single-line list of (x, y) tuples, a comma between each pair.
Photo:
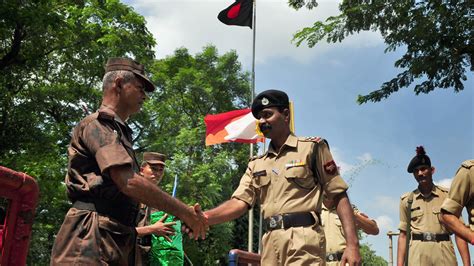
[(284, 181)]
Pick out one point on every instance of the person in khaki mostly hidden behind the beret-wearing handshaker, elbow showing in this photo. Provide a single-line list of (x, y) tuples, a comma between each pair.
[(335, 238)]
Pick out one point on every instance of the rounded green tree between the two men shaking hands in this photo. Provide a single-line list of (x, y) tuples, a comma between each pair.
[(190, 87)]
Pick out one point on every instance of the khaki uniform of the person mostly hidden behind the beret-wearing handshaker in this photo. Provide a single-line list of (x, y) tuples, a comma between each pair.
[(335, 238)]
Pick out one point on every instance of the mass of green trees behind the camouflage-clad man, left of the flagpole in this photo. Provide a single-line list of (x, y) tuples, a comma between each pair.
[(52, 56)]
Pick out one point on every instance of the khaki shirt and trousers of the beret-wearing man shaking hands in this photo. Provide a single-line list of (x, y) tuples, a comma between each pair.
[(283, 182)]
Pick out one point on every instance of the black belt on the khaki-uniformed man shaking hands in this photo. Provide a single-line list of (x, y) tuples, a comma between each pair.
[(287, 220)]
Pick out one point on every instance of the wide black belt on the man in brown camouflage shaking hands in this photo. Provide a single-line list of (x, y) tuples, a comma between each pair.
[(125, 214)]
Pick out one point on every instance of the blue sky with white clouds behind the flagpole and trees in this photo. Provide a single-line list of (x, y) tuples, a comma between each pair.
[(372, 143)]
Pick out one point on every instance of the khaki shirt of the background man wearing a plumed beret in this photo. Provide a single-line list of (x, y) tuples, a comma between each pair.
[(425, 212)]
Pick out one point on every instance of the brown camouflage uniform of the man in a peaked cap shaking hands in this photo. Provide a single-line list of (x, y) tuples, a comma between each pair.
[(86, 237)]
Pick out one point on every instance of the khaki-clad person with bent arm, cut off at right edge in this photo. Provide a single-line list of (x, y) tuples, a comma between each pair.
[(461, 194)]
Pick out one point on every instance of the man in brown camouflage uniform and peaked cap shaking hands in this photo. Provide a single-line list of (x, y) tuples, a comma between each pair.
[(103, 182)]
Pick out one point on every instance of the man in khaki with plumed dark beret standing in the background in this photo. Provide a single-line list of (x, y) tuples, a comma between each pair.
[(420, 211)]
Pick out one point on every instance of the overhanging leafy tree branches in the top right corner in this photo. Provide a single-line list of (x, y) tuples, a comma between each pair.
[(438, 37)]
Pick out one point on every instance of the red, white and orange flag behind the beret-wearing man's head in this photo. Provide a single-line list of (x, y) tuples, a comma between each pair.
[(233, 126)]
